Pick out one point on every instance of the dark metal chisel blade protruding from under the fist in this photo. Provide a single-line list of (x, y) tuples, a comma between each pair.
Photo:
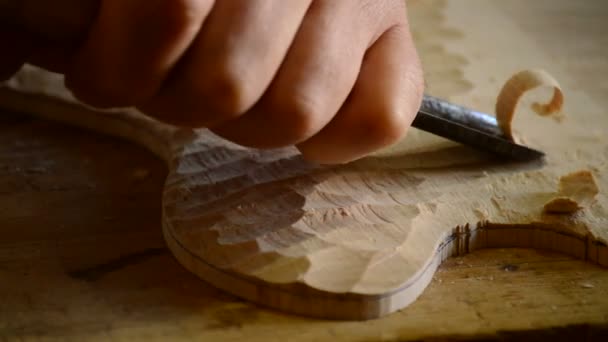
[(471, 128)]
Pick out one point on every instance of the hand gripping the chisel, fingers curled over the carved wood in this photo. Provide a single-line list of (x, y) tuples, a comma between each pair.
[(337, 78)]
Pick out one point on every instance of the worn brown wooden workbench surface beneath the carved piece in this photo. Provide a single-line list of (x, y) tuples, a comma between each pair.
[(82, 256)]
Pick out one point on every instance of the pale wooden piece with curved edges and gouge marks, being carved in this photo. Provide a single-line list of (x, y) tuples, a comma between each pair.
[(363, 240)]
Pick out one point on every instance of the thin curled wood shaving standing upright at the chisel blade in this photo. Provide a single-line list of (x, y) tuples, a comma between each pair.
[(513, 90)]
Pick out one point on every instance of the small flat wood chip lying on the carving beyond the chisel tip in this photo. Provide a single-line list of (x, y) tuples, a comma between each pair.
[(576, 190)]
